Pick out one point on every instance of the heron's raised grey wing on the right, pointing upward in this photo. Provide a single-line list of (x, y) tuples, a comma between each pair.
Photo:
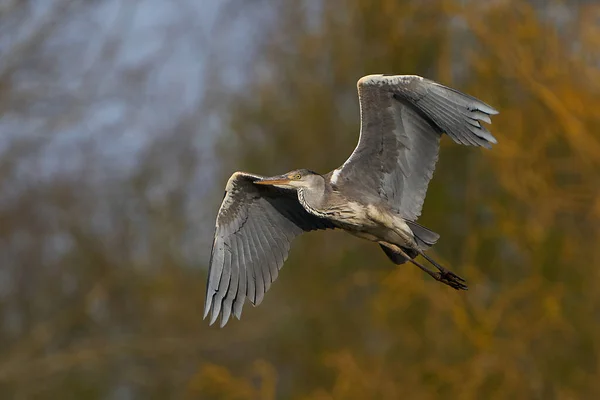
[(402, 120)]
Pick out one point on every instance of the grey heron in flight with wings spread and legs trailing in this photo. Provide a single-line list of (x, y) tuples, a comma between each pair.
[(377, 194)]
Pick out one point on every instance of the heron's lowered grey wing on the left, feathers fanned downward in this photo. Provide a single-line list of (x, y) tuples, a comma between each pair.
[(255, 227)]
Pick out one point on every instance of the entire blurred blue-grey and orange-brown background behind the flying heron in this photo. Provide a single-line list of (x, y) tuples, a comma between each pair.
[(120, 122)]
